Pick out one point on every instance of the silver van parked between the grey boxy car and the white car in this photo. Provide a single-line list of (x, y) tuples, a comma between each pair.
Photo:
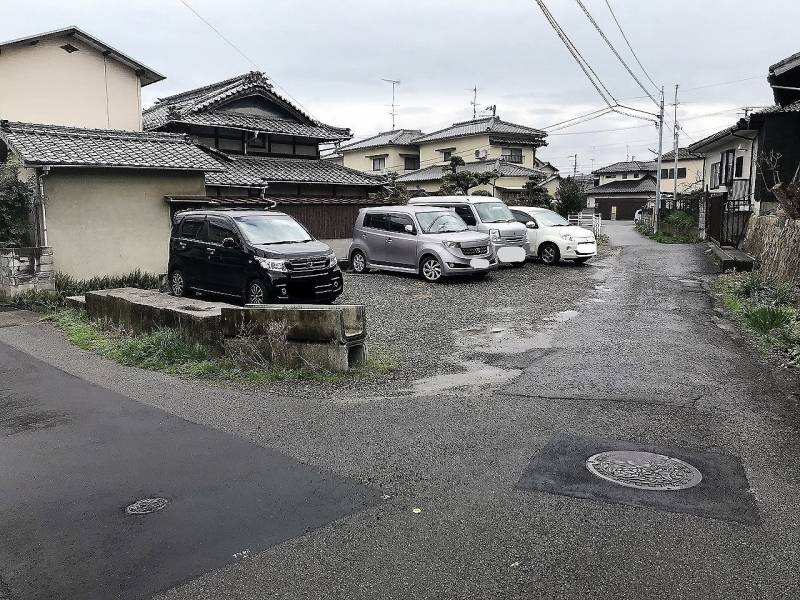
[(487, 215)]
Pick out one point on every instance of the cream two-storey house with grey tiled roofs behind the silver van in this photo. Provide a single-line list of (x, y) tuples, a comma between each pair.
[(485, 144)]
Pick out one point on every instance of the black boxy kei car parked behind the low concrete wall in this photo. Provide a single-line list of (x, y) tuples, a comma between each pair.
[(258, 256)]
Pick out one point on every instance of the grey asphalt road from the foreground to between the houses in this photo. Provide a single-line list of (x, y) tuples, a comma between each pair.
[(484, 494)]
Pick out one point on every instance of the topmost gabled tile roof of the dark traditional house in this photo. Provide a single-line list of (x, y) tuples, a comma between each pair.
[(183, 107)]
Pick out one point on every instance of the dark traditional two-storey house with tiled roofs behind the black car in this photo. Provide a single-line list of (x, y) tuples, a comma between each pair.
[(271, 143)]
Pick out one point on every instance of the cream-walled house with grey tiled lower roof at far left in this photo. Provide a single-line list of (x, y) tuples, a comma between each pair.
[(70, 115)]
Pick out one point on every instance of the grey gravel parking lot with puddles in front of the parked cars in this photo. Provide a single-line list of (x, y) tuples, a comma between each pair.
[(461, 330)]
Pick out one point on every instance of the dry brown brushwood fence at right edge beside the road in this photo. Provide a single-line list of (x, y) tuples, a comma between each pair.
[(775, 244)]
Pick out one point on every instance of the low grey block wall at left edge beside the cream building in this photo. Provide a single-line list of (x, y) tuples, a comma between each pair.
[(24, 269)]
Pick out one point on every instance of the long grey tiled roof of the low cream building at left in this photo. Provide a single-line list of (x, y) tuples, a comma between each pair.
[(54, 145)]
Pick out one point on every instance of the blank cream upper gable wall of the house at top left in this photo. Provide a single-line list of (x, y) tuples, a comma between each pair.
[(45, 84)]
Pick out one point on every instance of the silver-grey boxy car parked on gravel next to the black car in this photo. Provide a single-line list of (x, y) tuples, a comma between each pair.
[(431, 241)]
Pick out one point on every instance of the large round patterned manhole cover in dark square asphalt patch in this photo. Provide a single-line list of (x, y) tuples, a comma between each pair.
[(644, 470)]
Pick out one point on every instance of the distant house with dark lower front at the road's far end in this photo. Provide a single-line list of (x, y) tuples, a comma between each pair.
[(623, 188)]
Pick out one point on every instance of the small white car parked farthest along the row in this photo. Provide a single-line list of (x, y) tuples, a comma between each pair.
[(552, 238)]
